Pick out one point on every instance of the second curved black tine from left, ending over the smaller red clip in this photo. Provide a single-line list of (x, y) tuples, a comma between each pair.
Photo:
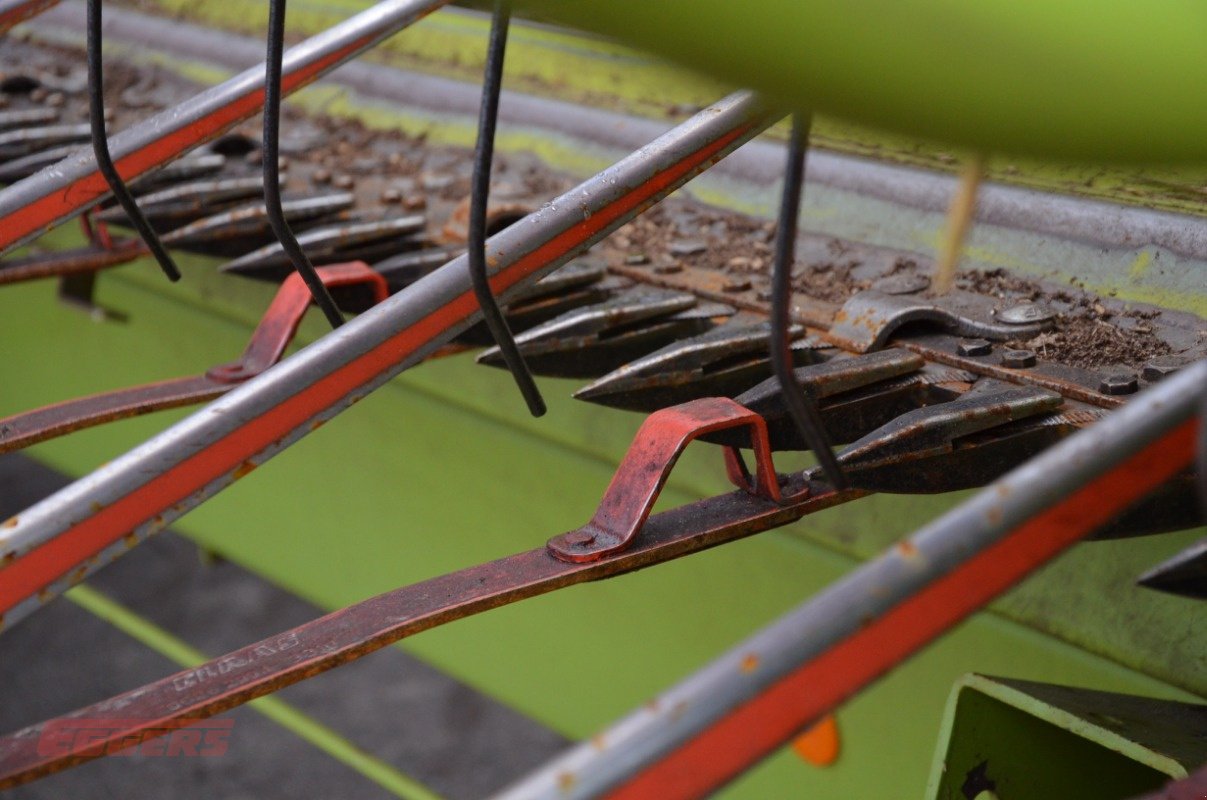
[(272, 166)]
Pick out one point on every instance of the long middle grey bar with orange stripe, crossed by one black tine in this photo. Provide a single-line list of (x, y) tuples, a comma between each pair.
[(135, 497)]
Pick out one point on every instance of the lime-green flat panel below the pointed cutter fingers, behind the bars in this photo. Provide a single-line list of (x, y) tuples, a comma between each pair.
[(441, 469)]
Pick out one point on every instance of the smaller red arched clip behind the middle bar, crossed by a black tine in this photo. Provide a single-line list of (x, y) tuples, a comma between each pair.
[(284, 316)]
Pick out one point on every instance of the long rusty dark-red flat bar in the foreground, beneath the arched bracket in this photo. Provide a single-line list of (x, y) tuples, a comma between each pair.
[(352, 633)]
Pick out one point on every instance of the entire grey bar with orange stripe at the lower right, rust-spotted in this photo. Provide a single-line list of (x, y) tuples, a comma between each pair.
[(739, 709)]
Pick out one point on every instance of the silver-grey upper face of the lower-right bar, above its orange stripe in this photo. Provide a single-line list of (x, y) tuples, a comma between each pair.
[(661, 727)]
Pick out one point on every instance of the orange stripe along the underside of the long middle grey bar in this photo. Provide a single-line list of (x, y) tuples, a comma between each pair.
[(86, 539)]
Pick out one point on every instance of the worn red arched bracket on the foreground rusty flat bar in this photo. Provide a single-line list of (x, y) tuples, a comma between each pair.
[(648, 465)]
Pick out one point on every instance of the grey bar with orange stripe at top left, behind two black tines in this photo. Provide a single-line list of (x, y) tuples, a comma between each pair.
[(60, 192)]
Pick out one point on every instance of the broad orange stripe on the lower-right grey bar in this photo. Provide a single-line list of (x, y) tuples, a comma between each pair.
[(755, 731)]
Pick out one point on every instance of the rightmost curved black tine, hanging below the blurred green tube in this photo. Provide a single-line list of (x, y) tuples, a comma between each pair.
[(801, 408)]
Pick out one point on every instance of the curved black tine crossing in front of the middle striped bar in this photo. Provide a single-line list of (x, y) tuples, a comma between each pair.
[(479, 195)]
